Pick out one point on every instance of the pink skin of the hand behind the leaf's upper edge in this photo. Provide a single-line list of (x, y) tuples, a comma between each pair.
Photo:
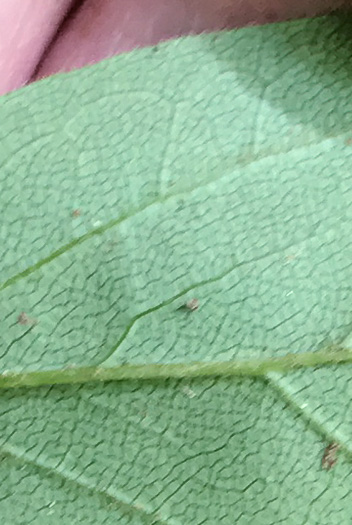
[(38, 39)]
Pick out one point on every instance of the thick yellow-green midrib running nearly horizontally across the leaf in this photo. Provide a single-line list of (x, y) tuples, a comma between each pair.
[(250, 367)]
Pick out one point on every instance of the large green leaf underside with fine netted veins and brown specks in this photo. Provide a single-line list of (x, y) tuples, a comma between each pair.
[(215, 167)]
